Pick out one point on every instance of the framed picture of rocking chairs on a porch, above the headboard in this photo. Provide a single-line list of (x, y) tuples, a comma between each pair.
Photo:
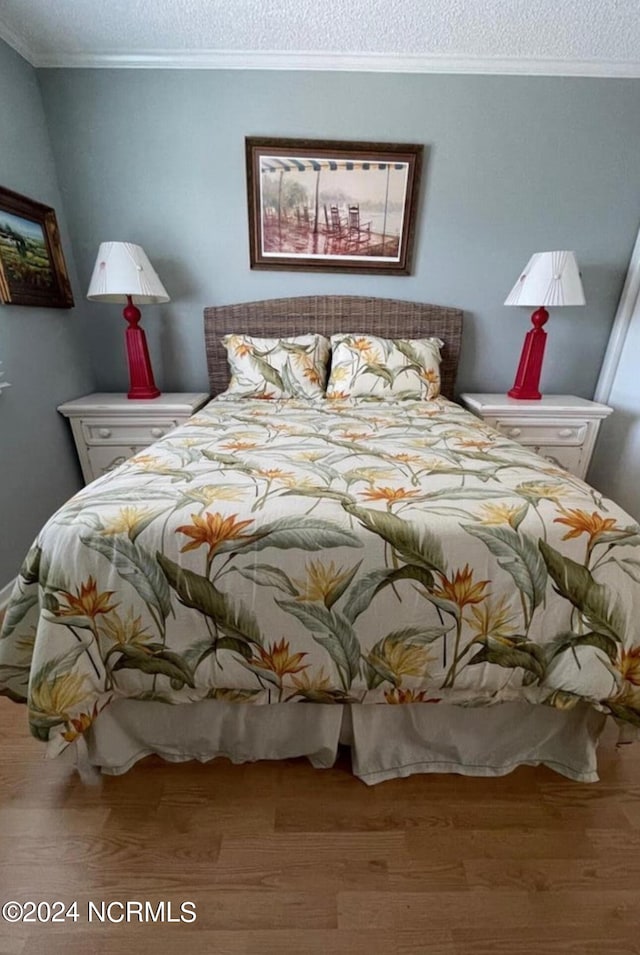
[(318, 205)]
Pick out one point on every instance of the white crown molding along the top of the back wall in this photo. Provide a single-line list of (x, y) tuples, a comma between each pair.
[(348, 62)]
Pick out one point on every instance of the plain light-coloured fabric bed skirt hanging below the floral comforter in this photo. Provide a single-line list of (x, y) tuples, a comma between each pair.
[(386, 741)]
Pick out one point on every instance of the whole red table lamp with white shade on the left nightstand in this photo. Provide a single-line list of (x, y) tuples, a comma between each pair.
[(123, 273)]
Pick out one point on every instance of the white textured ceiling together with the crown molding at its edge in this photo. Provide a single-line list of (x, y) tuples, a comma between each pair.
[(556, 36)]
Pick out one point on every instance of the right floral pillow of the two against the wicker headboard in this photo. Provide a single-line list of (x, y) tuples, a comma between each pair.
[(365, 365)]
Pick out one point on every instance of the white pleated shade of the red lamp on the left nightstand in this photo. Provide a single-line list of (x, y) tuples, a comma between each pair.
[(123, 269)]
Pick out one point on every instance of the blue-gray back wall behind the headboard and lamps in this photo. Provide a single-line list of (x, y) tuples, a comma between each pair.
[(515, 165)]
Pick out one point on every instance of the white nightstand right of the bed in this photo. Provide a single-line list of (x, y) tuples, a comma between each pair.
[(562, 428)]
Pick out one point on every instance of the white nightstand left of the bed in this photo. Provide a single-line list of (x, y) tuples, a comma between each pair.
[(109, 428)]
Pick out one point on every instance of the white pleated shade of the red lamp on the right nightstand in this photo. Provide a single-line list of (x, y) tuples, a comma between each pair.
[(549, 278)]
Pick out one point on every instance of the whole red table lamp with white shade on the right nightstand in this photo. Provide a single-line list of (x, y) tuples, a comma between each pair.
[(549, 278)]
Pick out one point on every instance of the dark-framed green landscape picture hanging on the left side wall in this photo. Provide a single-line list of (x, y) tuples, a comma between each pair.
[(32, 266)]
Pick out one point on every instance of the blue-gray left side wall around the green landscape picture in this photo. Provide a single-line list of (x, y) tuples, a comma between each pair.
[(38, 348)]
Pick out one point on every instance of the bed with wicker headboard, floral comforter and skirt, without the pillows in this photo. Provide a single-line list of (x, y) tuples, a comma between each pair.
[(441, 598)]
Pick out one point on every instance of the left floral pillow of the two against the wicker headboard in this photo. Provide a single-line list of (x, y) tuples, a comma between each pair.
[(276, 367)]
